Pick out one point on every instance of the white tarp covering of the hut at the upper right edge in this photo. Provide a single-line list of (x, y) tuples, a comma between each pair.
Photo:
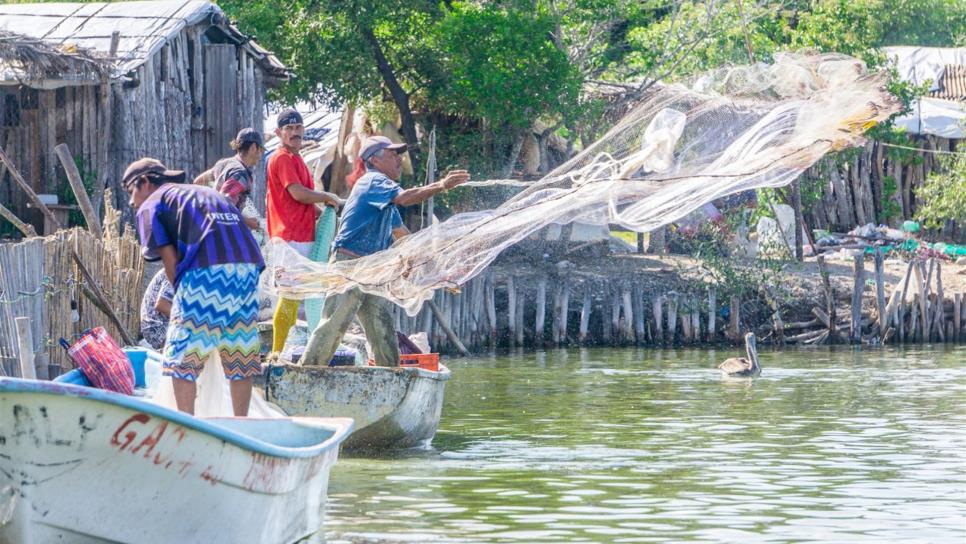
[(934, 116)]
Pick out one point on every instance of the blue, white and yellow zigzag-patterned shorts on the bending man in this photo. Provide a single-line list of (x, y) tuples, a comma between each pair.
[(214, 308)]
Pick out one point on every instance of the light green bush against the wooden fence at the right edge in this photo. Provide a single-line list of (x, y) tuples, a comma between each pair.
[(943, 196)]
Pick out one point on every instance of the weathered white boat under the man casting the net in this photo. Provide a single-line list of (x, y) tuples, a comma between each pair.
[(392, 407)]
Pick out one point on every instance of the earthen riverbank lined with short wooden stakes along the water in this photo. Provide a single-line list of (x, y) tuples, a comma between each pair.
[(647, 300)]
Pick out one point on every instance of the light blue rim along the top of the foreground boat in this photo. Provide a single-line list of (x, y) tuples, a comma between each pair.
[(339, 432)]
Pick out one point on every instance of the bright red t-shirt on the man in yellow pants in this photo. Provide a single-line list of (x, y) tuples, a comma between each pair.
[(288, 218)]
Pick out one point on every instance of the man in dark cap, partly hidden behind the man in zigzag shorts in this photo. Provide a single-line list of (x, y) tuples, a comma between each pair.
[(234, 176)]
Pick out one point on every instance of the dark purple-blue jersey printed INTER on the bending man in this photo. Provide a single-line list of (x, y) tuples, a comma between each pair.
[(203, 226)]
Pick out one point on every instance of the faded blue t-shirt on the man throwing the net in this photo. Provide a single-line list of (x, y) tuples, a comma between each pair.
[(369, 216)]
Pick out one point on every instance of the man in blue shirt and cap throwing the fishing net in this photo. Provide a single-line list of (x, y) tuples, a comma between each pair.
[(370, 223)]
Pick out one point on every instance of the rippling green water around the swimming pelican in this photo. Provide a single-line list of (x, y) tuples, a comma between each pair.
[(654, 446)]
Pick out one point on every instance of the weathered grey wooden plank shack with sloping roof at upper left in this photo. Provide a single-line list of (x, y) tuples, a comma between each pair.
[(173, 80)]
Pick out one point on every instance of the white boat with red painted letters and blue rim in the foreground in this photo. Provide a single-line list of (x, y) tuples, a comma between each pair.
[(79, 464)]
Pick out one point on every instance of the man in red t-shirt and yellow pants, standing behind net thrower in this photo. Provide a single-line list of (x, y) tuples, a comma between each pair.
[(291, 209)]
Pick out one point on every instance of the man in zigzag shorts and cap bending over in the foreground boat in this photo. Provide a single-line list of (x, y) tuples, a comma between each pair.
[(213, 262)]
